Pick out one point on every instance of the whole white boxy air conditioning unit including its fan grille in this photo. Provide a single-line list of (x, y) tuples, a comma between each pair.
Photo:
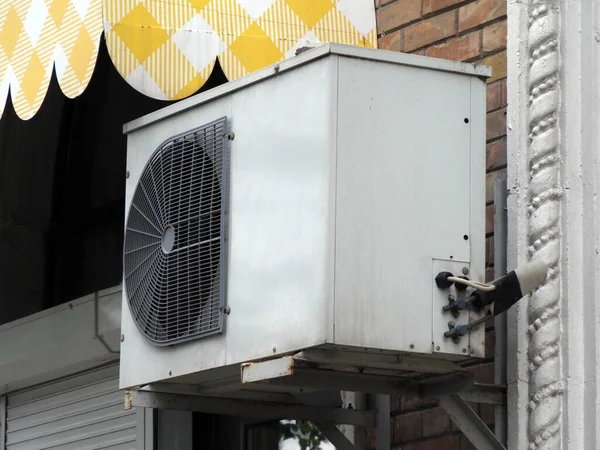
[(304, 211)]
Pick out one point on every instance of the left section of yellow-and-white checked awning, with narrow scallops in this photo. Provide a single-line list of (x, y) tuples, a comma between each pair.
[(32, 33)]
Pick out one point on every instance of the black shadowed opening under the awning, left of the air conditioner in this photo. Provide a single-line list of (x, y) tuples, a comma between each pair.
[(62, 192)]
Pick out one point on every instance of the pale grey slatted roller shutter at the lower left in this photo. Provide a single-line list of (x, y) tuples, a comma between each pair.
[(81, 412)]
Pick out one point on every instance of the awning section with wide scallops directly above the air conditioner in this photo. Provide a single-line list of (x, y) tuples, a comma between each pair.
[(248, 42)]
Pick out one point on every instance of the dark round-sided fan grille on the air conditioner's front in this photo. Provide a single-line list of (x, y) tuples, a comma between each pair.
[(175, 238)]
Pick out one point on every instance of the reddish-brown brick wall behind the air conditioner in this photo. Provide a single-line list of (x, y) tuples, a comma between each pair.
[(471, 31)]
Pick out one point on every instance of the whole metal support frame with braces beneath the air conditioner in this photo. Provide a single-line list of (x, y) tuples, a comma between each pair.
[(292, 373)]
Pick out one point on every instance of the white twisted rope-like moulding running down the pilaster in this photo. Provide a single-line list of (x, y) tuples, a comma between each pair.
[(544, 193)]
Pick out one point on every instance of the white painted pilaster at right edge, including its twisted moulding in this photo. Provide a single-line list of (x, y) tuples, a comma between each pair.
[(553, 118)]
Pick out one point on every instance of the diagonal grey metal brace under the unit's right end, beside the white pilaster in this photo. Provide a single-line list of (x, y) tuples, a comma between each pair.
[(470, 423)]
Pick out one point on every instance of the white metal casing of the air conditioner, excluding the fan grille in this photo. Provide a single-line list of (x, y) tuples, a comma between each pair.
[(355, 175)]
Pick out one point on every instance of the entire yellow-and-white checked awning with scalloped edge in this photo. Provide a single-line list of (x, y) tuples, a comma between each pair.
[(165, 49)]
